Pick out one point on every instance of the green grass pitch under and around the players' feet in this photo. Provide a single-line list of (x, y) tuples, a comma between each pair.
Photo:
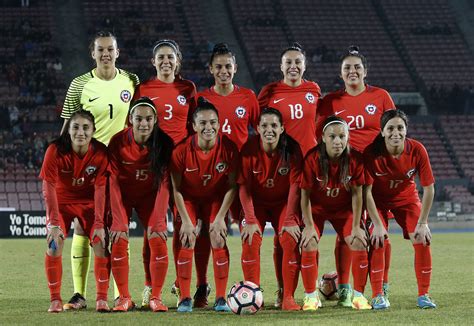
[(24, 296)]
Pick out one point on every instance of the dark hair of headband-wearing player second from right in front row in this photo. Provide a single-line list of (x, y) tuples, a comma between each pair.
[(324, 163)]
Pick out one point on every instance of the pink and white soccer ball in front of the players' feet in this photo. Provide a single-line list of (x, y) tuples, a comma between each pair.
[(245, 298)]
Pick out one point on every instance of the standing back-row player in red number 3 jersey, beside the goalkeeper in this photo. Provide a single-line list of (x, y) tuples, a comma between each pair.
[(174, 99)]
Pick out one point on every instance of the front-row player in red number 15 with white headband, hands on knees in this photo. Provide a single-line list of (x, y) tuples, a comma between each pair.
[(139, 159)]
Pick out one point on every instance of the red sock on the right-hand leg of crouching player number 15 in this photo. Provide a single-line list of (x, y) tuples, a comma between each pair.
[(158, 265)]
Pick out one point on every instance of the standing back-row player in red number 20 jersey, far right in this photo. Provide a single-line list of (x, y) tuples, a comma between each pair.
[(361, 106)]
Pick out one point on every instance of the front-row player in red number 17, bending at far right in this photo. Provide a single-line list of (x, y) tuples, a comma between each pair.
[(392, 161)]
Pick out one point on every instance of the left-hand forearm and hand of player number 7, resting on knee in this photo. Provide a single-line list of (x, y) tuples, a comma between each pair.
[(187, 231)]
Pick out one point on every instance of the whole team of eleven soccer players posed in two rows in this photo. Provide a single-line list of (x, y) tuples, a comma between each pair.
[(281, 176)]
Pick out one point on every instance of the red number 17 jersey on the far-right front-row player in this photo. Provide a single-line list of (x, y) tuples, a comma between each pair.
[(393, 179)]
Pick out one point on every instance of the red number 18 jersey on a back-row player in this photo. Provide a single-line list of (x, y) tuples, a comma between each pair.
[(298, 106)]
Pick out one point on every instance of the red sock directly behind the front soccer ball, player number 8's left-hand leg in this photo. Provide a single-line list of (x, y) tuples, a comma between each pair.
[(251, 259)]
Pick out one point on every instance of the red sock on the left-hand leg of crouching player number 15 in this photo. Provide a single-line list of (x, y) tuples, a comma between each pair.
[(120, 266)]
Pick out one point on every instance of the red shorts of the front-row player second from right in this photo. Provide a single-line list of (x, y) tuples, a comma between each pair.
[(341, 221)]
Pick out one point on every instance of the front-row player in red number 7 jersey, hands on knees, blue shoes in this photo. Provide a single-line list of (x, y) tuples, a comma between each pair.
[(203, 174)]
